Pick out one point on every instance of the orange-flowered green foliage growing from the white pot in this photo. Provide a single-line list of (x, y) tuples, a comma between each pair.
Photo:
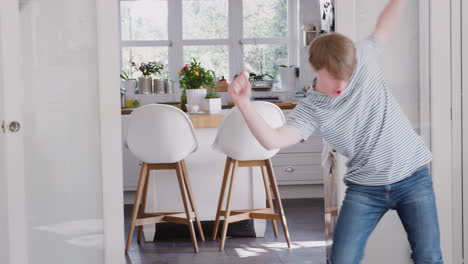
[(193, 76)]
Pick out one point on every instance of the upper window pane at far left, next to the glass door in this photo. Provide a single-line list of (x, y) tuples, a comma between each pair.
[(144, 20)]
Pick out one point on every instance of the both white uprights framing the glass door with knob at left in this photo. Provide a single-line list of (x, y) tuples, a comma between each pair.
[(12, 174)]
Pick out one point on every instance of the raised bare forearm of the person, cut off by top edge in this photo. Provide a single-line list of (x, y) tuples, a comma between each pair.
[(389, 19)]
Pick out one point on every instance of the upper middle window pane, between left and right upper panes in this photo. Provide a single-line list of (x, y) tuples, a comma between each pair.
[(205, 19)]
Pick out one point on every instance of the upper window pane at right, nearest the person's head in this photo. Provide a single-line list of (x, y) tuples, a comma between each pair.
[(265, 18)]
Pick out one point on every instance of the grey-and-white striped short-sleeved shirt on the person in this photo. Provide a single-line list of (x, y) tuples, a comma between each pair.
[(365, 124)]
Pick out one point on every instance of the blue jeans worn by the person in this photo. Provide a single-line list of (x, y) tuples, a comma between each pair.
[(413, 199)]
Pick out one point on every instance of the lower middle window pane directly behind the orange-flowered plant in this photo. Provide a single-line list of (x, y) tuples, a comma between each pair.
[(211, 57)]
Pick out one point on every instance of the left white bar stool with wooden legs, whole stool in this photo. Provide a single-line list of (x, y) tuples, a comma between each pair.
[(161, 137)]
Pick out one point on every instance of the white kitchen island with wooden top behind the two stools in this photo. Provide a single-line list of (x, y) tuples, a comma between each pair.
[(205, 168)]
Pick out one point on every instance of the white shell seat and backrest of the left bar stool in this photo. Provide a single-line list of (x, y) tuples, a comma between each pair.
[(160, 133)]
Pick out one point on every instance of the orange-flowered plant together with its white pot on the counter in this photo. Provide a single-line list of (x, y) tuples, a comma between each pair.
[(193, 78)]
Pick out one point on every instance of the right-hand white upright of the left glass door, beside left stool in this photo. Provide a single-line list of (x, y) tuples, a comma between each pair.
[(108, 43)]
